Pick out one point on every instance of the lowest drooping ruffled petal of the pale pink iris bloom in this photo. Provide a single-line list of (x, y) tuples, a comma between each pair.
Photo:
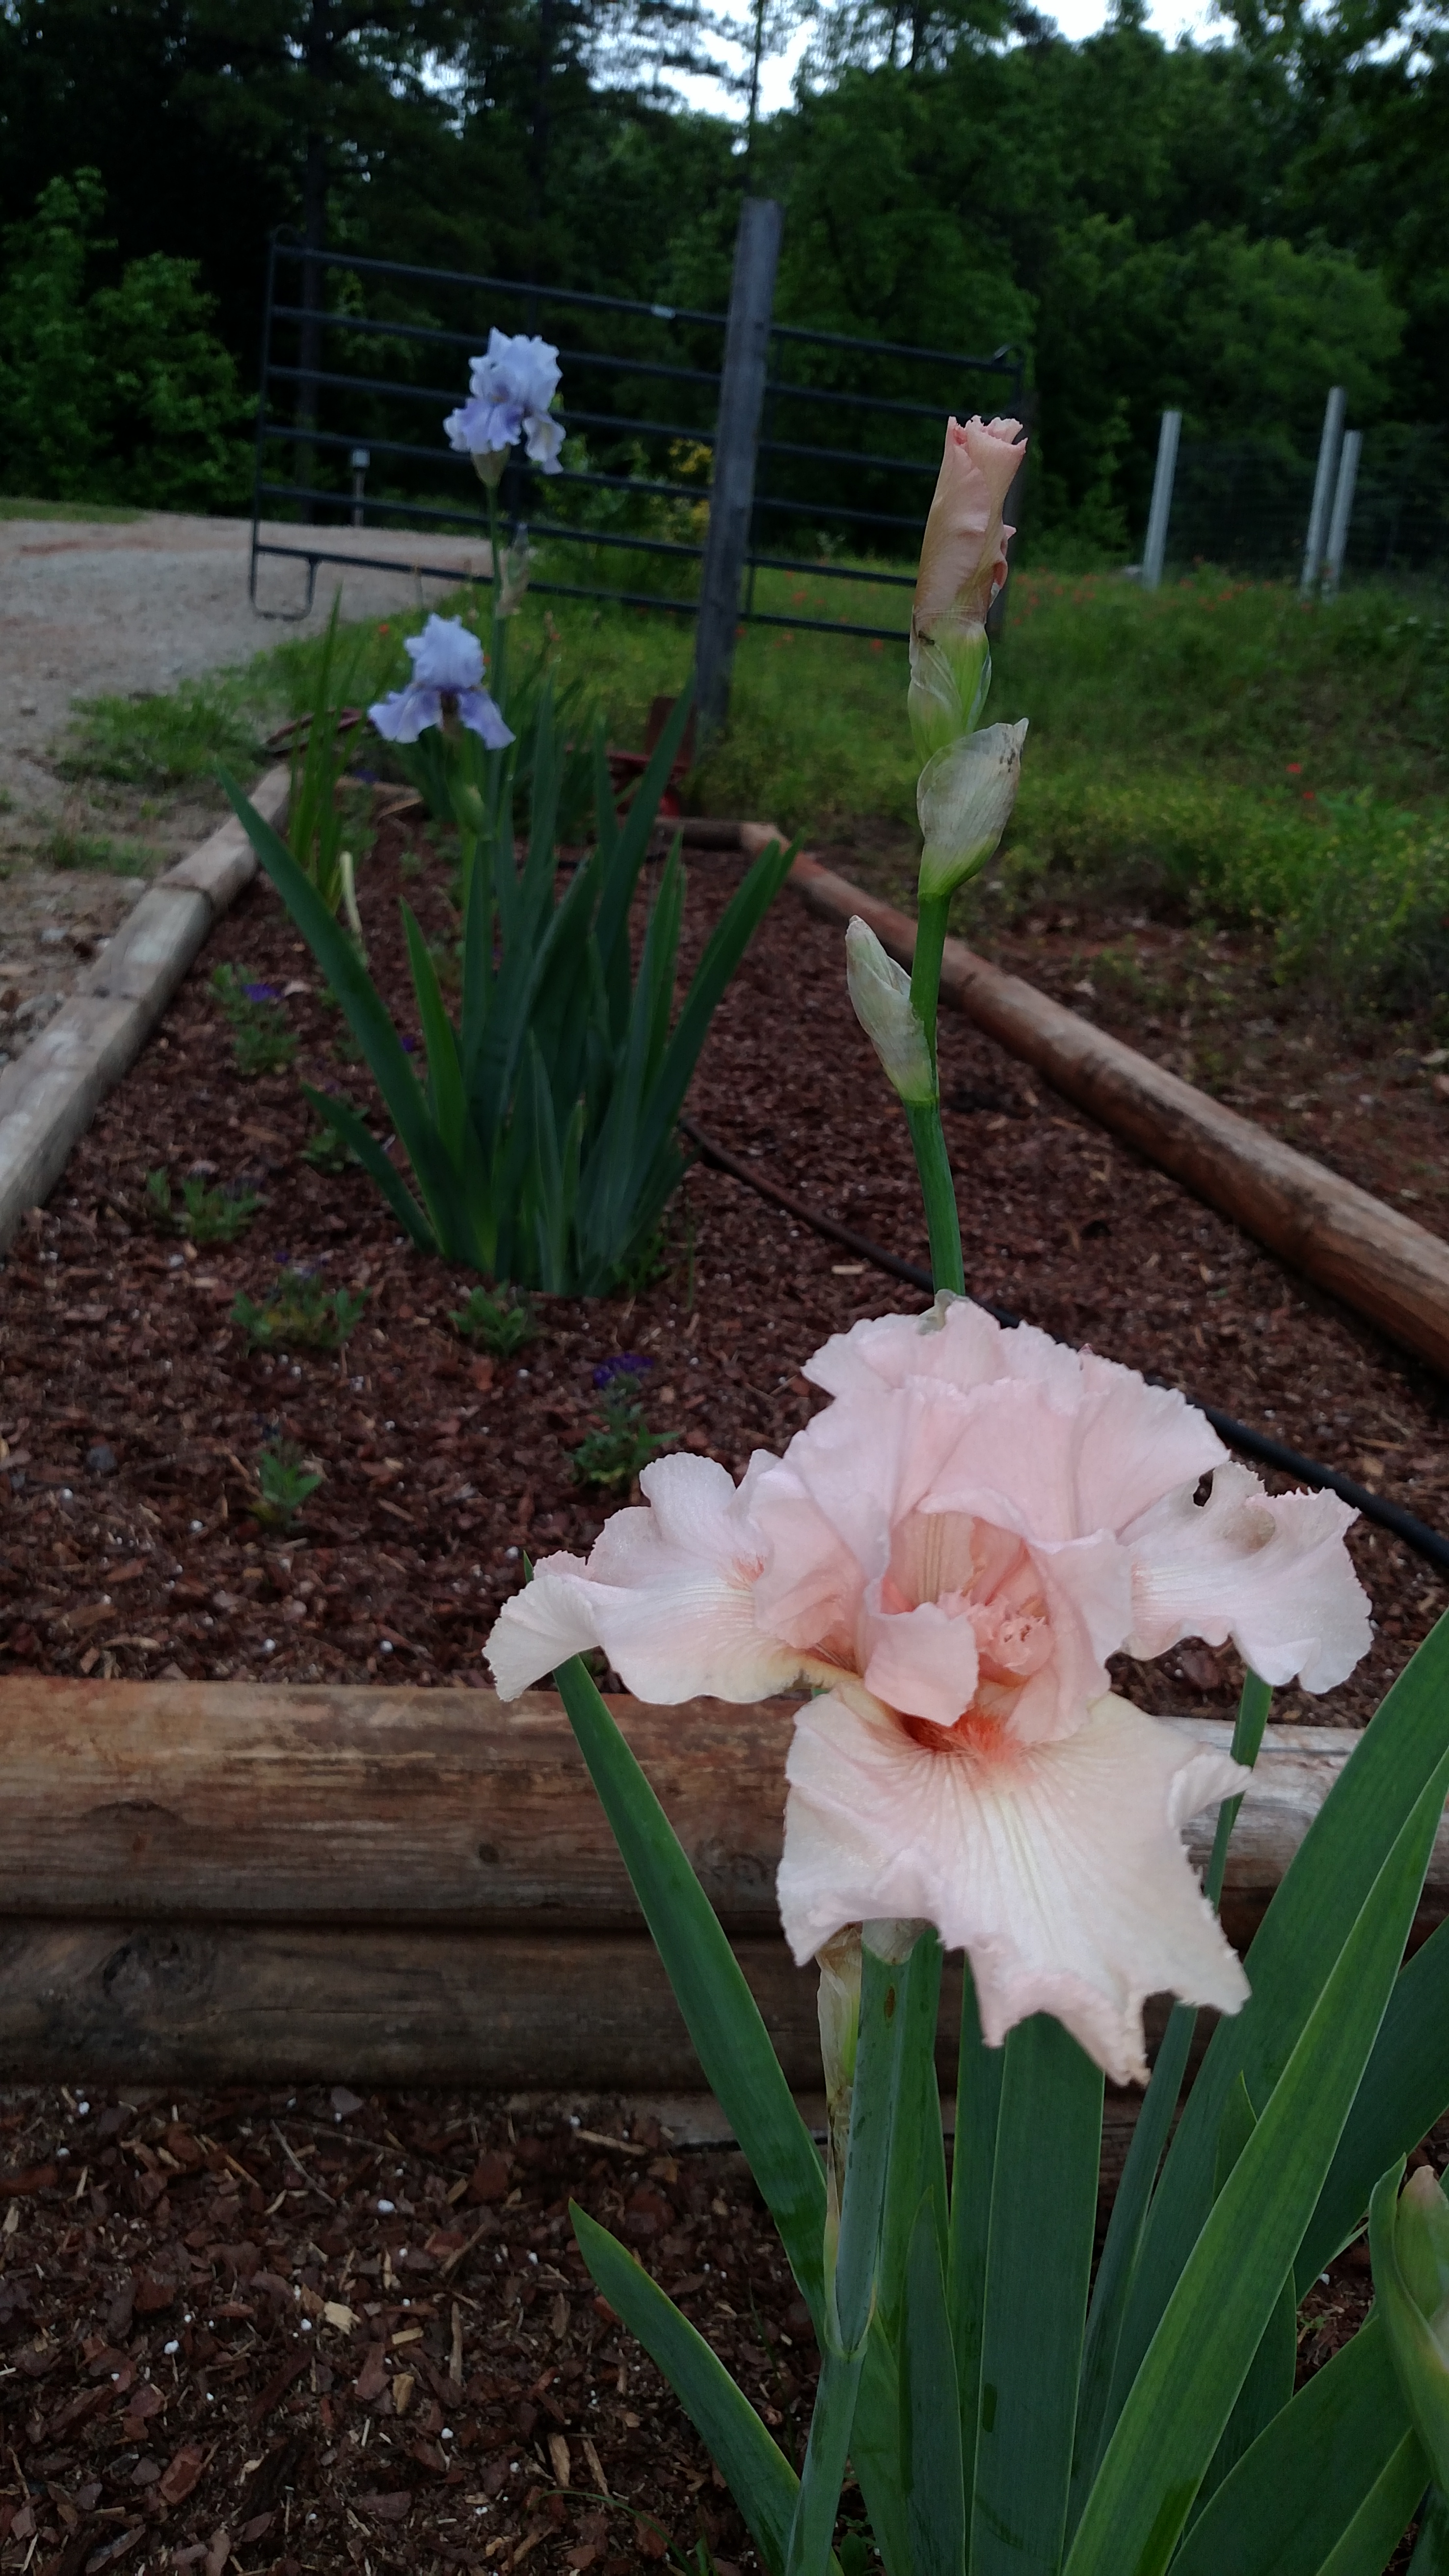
[(1058, 1869)]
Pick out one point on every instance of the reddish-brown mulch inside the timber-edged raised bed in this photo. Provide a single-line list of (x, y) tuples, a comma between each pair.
[(133, 1413)]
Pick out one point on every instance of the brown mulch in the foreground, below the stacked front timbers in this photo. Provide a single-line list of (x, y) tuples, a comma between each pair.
[(318, 2333)]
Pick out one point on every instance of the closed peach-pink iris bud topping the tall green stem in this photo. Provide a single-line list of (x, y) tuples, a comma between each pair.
[(963, 565)]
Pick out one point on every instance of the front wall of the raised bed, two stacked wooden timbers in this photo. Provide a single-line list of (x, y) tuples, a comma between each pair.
[(218, 1882)]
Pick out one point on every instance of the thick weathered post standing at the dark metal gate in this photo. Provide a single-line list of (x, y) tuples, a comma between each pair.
[(736, 442)]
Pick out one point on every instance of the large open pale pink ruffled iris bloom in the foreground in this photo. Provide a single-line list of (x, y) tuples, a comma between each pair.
[(953, 1552)]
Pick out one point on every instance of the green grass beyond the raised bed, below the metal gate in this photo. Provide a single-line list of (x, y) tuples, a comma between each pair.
[(1208, 751)]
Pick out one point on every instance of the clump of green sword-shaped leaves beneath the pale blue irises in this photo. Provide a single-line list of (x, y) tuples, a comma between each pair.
[(543, 1135)]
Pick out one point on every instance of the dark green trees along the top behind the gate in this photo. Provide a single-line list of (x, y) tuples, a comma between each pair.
[(1226, 228)]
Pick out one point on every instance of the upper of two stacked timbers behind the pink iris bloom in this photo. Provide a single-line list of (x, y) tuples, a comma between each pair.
[(429, 1810)]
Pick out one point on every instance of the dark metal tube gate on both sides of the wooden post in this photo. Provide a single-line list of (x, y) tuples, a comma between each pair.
[(362, 359)]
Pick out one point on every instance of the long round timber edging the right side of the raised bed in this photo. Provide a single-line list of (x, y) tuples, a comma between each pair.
[(1337, 1235)]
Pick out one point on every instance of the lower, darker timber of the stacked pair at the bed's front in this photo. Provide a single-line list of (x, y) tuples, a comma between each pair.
[(287, 2003)]
